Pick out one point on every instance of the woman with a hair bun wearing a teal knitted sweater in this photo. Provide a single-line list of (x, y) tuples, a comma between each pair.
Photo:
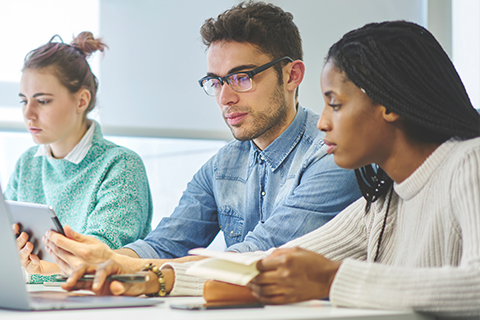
[(95, 187)]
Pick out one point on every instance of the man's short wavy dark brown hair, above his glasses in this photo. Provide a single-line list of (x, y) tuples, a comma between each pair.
[(263, 25)]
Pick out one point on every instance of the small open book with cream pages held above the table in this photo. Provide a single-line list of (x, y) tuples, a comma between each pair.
[(236, 268)]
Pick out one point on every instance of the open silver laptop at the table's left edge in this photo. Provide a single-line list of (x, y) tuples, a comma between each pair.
[(13, 291)]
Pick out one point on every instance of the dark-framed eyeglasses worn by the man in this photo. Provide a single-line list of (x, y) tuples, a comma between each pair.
[(238, 81)]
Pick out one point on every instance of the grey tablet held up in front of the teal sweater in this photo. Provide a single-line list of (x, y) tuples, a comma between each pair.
[(35, 220)]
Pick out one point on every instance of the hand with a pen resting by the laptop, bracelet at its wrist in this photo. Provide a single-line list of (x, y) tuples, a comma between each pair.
[(102, 287)]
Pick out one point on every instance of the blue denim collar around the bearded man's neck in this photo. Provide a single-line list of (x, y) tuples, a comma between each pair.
[(277, 151)]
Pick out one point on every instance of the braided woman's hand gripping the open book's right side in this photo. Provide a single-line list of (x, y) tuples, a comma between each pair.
[(293, 275)]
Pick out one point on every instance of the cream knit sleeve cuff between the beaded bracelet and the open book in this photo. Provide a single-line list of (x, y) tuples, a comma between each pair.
[(185, 285)]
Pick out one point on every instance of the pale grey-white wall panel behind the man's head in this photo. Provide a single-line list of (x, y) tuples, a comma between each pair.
[(156, 57)]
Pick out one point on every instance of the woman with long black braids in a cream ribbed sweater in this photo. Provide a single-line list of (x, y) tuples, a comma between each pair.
[(397, 112)]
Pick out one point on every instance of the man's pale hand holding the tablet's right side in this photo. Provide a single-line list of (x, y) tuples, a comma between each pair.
[(75, 249)]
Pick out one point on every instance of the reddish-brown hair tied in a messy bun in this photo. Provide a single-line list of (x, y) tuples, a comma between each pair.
[(69, 62)]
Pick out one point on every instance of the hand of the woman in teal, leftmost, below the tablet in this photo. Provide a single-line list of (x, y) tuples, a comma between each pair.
[(30, 261)]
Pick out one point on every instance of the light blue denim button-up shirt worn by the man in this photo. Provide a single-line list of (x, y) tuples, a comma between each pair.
[(259, 199)]
